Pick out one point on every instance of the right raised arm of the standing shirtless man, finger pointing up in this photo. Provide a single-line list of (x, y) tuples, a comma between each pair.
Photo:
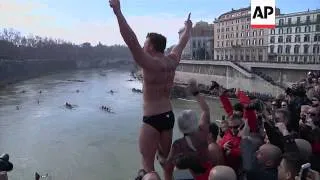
[(177, 50)]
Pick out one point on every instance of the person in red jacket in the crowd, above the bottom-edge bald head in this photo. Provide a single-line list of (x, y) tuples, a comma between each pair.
[(230, 142)]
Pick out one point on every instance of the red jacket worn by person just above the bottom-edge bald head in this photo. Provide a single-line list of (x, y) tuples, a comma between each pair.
[(234, 158)]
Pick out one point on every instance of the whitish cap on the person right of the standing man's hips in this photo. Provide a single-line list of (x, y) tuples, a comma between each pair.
[(188, 122)]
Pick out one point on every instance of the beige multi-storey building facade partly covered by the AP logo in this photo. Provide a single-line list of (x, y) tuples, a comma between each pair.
[(235, 40)]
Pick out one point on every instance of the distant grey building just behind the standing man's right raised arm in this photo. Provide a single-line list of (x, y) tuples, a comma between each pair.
[(200, 44)]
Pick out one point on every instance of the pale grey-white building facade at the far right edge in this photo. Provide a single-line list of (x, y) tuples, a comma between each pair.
[(296, 38)]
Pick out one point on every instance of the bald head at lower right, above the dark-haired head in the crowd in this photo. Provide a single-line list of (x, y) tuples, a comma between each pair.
[(269, 155)]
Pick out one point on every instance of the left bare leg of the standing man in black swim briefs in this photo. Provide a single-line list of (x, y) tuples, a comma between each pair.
[(149, 139)]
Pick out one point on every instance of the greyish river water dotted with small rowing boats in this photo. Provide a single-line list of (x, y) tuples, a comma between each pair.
[(82, 143)]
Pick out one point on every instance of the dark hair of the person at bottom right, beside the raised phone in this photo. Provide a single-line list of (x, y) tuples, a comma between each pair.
[(292, 163)]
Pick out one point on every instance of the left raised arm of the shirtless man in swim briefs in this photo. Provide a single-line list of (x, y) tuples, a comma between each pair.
[(130, 38)]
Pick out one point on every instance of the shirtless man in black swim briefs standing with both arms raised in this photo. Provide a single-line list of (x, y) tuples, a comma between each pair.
[(158, 76)]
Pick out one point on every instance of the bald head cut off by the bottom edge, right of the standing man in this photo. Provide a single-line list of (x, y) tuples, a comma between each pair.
[(222, 173)]
